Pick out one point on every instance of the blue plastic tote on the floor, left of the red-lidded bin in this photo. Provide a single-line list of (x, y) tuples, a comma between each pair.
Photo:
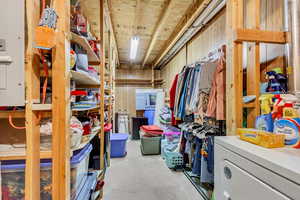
[(118, 143)]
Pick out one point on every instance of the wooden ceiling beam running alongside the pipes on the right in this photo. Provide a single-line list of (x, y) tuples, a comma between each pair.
[(190, 16)]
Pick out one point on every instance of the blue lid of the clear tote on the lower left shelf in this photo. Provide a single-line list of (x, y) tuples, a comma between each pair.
[(77, 157)]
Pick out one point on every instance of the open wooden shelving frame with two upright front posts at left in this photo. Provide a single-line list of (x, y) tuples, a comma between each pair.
[(60, 109)]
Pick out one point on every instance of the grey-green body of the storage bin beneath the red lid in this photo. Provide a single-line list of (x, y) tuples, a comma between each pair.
[(150, 145)]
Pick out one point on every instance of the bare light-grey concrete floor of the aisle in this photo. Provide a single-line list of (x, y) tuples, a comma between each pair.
[(138, 177)]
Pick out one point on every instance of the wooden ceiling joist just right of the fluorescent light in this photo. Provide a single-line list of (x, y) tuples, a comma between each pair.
[(160, 22)]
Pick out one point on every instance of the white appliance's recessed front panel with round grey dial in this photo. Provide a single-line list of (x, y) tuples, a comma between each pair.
[(240, 185)]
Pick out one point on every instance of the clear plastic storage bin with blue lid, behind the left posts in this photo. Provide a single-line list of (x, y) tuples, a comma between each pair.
[(13, 176)]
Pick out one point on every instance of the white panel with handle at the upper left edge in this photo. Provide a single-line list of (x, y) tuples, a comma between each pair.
[(12, 89)]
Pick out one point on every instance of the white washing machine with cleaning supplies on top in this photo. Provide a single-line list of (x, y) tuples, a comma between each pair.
[(244, 171)]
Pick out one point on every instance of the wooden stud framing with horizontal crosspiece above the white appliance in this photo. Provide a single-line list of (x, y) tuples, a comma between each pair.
[(244, 25)]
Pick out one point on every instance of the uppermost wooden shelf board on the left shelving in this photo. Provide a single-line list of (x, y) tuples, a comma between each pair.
[(82, 41)]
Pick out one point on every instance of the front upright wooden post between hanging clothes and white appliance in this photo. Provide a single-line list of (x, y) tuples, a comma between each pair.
[(234, 69)]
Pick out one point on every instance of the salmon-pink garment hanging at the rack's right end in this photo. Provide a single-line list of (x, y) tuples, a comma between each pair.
[(216, 103)]
